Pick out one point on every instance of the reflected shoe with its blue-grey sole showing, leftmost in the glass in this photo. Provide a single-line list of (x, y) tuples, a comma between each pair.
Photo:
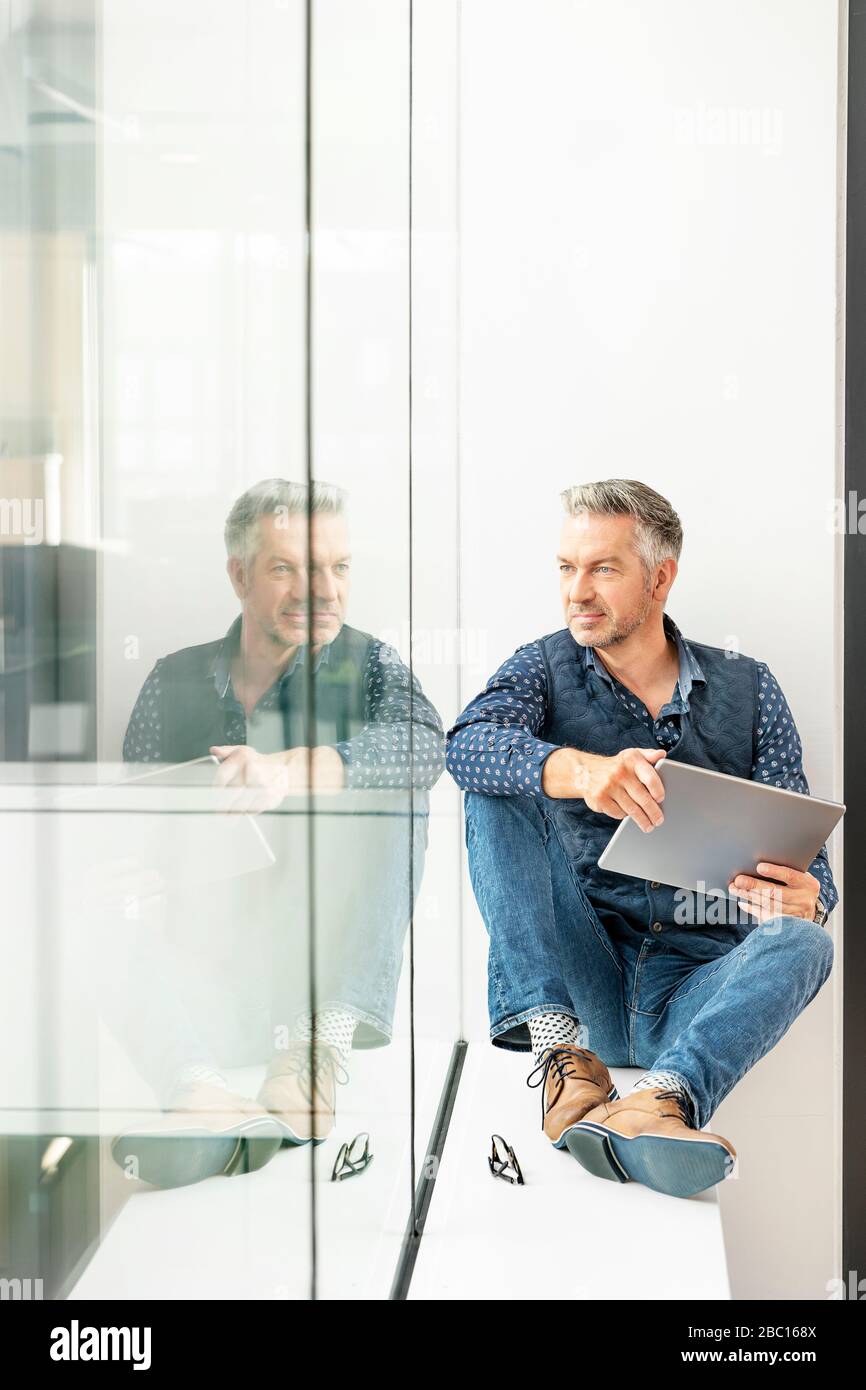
[(208, 1132)]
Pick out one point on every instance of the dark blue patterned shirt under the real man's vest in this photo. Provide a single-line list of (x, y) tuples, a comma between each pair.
[(494, 746)]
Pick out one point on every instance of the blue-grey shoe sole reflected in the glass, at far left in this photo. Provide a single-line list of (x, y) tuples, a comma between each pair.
[(181, 1159)]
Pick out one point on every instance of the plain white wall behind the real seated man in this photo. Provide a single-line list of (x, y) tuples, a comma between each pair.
[(647, 286)]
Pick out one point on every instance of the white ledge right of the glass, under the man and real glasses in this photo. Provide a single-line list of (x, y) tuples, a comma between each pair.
[(565, 1234)]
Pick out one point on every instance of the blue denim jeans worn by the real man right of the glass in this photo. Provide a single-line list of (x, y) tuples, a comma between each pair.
[(678, 1003)]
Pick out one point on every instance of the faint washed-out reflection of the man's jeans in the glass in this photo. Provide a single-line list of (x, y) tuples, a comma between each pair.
[(230, 970)]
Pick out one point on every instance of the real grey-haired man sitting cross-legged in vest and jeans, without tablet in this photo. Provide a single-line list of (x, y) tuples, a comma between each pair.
[(561, 746)]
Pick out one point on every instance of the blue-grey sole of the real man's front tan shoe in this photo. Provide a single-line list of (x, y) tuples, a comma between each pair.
[(676, 1167)]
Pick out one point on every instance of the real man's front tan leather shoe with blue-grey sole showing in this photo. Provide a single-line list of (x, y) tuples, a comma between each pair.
[(650, 1138)]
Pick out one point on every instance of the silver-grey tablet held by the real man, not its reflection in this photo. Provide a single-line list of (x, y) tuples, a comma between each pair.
[(717, 828)]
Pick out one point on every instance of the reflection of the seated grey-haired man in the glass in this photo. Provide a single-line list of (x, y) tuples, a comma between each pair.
[(238, 988)]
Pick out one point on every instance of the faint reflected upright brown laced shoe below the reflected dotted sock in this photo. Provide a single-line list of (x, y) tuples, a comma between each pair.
[(304, 1104)]
